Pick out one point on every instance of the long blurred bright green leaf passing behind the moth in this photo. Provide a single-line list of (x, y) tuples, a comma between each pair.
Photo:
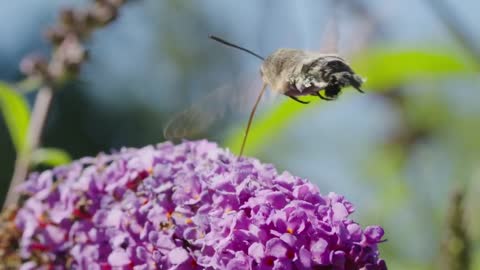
[(383, 68)]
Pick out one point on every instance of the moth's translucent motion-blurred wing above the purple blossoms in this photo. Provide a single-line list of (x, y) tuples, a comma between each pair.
[(225, 100)]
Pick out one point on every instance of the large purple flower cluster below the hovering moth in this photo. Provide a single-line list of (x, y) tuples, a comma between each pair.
[(190, 206)]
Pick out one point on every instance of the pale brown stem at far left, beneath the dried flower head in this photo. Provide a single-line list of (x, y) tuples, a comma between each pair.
[(37, 123)]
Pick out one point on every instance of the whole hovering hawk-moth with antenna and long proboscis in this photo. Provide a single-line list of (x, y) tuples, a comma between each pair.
[(291, 72)]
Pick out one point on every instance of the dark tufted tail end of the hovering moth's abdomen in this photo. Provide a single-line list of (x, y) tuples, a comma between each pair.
[(337, 73)]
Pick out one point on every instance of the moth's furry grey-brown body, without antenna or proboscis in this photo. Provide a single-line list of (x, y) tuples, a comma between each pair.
[(295, 73)]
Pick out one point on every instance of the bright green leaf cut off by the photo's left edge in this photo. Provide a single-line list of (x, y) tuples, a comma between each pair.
[(16, 113)]
